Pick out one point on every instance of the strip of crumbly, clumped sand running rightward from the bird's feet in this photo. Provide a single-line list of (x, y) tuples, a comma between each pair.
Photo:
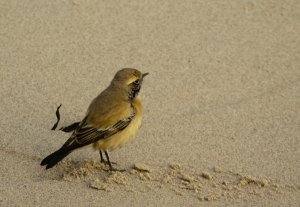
[(175, 177)]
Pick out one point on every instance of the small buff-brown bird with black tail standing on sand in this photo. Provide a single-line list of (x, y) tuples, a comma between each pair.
[(112, 119)]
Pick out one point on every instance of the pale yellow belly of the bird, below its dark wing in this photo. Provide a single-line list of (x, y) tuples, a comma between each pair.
[(120, 138)]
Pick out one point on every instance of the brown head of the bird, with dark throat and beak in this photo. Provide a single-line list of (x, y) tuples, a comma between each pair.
[(129, 79)]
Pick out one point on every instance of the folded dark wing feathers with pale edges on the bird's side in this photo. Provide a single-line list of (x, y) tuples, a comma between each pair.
[(86, 134)]
